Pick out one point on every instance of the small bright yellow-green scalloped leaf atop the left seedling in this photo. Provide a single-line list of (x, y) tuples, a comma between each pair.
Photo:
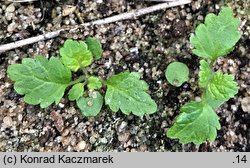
[(75, 54)]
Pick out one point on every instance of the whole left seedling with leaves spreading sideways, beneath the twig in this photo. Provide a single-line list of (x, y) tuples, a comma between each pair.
[(43, 81)]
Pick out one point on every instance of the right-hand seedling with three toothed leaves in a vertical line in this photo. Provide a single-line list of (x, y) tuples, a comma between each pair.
[(197, 121)]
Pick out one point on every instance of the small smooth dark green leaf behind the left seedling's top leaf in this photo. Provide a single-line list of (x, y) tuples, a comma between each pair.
[(95, 47)]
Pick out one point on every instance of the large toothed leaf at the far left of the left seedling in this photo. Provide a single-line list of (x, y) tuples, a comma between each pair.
[(42, 81)]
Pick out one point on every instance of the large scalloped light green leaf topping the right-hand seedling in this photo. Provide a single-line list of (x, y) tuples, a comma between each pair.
[(217, 36)]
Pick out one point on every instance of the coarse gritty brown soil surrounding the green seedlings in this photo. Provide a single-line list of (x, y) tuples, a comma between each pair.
[(146, 45)]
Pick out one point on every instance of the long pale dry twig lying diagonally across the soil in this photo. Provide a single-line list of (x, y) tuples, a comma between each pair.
[(124, 16)]
